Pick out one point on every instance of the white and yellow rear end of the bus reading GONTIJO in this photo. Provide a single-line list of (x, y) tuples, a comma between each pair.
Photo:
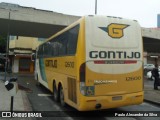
[(112, 75)]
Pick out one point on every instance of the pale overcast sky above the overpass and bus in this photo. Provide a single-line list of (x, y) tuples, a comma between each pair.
[(144, 11)]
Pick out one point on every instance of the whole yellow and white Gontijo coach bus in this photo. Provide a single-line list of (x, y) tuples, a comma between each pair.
[(95, 63)]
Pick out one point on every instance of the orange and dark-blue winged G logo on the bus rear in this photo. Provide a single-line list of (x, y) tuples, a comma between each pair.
[(115, 30)]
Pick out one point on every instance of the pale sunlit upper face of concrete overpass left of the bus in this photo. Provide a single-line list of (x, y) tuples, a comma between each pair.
[(30, 14)]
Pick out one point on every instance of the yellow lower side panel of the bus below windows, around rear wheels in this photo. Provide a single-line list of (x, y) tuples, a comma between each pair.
[(62, 70)]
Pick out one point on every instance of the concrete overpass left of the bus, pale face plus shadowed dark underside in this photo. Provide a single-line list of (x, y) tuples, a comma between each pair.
[(28, 21)]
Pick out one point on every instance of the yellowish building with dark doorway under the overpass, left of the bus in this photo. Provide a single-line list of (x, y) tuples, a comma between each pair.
[(20, 51)]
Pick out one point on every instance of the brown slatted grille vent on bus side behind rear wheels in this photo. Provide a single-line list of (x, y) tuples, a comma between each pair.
[(72, 94)]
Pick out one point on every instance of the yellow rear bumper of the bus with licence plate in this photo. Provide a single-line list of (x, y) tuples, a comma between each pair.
[(106, 102)]
